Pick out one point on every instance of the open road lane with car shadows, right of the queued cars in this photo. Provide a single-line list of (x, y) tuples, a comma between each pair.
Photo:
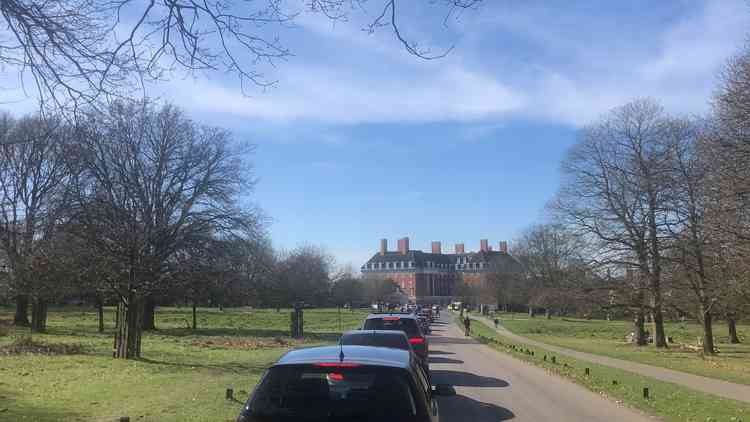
[(491, 386)]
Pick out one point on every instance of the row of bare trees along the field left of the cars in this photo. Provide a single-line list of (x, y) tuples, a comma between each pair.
[(139, 206)]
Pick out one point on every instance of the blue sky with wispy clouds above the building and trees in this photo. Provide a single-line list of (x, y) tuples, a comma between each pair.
[(358, 140)]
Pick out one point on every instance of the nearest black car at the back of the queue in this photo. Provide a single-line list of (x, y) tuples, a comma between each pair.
[(344, 383)]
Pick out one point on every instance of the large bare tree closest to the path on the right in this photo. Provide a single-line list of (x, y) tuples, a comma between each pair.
[(614, 192)]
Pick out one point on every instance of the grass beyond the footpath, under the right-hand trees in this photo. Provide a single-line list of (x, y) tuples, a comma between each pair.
[(606, 338)]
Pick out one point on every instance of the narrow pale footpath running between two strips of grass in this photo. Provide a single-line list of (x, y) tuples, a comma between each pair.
[(707, 385)]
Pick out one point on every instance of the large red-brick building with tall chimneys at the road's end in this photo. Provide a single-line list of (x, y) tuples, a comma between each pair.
[(430, 277)]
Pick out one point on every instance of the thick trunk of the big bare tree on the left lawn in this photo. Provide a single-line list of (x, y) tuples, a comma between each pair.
[(128, 335)]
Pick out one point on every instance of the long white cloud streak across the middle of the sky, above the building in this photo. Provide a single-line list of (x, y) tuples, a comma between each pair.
[(336, 96)]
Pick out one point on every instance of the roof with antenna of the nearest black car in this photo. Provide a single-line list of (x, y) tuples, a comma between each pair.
[(365, 355)]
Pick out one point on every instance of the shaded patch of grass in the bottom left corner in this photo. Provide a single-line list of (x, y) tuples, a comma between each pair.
[(15, 407)]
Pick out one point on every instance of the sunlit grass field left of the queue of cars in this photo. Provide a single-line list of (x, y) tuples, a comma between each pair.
[(183, 375)]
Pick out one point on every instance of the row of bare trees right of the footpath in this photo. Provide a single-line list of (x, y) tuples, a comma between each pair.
[(652, 219)]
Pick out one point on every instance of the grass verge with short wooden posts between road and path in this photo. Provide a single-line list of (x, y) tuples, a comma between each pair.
[(668, 401)]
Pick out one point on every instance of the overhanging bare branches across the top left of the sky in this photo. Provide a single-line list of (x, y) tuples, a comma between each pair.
[(77, 51)]
